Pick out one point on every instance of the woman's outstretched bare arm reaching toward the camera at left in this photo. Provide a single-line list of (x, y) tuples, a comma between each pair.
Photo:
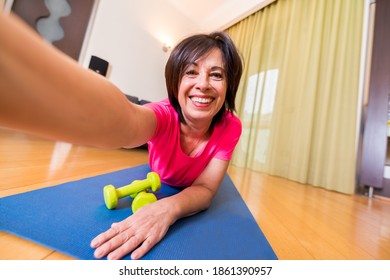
[(44, 92)]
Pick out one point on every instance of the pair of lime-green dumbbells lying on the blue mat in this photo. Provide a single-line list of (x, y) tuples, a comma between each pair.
[(139, 190)]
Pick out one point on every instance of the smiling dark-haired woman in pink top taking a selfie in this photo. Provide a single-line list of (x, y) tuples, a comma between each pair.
[(191, 135)]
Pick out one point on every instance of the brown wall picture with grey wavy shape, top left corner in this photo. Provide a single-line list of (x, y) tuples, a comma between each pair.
[(68, 34)]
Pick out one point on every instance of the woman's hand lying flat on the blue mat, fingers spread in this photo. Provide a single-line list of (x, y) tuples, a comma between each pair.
[(145, 228)]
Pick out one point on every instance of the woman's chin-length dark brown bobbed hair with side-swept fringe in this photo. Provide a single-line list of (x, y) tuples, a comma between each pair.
[(193, 48)]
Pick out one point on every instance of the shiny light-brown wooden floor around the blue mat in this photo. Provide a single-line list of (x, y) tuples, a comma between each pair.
[(299, 221)]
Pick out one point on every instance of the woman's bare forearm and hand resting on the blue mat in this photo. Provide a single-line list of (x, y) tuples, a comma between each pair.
[(150, 223)]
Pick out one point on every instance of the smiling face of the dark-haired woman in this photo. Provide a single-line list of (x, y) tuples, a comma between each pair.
[(202, 89)]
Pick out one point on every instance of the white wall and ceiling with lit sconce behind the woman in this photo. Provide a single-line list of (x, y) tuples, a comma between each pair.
[(129, 34)]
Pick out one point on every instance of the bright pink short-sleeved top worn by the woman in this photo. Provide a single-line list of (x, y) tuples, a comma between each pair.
[(166, 156)]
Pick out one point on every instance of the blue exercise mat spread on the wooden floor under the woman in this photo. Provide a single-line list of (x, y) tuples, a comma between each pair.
[(68, 216)]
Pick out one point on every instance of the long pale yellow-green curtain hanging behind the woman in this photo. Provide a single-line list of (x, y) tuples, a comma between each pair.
[(298, 97)]
